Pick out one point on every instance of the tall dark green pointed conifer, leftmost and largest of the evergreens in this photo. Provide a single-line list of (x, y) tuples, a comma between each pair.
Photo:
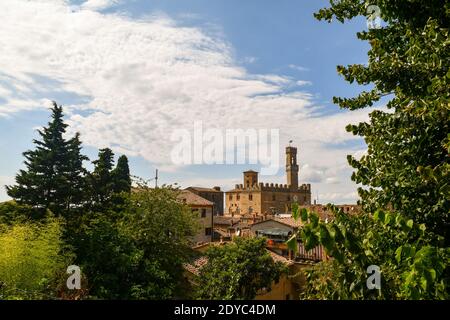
[(54, 175)]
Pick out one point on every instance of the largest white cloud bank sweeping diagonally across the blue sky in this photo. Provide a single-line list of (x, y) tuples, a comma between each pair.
[(146, 77)]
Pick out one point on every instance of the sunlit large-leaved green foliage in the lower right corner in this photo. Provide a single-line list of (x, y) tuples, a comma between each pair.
[(411, 266)]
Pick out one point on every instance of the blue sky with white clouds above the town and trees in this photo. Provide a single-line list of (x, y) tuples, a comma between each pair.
[(129, 73)]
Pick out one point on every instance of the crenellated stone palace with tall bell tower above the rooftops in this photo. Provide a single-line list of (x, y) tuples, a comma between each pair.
[(257, 198)]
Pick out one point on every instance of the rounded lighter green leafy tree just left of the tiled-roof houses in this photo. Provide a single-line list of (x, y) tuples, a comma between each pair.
[(161, 228)]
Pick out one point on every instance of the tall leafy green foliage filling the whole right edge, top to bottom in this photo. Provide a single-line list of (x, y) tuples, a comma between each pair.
[(405, 172)]
